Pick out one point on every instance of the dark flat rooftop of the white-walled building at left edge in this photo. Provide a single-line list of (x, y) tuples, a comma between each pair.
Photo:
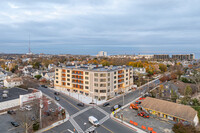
[(13, 93)]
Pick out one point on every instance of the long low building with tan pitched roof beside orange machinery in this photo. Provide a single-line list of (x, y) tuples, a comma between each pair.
[(171, 111)]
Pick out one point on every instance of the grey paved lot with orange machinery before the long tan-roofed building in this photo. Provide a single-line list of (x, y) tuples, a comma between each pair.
[(160, 126)]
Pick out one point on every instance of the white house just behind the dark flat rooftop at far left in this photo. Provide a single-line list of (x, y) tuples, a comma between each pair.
[(12, 82)]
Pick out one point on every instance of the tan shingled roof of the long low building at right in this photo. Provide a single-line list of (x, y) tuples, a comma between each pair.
[(170, 108)]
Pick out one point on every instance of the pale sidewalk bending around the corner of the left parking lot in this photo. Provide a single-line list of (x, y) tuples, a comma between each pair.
[(56, 123)]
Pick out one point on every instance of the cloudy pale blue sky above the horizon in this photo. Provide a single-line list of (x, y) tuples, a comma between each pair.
[(87, 26)]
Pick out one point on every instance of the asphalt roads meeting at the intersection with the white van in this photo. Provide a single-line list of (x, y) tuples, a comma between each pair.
[(108, 126)]
